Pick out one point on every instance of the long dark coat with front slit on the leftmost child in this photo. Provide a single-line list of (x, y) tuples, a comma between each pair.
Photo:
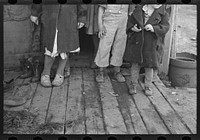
[(65, 18)]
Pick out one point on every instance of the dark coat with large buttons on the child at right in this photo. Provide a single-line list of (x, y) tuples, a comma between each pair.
[(145, 47)]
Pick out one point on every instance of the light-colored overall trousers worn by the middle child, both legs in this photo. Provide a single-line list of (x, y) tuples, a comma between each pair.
[(115, 38)]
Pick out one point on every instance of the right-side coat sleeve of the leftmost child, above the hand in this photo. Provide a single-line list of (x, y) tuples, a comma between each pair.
[(82, 13)]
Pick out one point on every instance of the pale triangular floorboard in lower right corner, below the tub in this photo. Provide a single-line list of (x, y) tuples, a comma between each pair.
[(183, 102)]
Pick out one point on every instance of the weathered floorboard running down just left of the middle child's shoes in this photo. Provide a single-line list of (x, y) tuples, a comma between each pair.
[(93, 114)]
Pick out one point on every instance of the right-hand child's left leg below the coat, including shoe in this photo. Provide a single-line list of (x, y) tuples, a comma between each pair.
[(135, 69)]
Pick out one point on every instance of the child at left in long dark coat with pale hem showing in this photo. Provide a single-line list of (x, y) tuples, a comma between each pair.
[(60, 25)]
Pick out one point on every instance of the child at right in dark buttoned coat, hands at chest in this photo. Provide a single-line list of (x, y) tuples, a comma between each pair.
[(146, 30)]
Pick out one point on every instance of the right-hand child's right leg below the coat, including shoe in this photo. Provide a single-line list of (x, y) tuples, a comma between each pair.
[(148, 81)]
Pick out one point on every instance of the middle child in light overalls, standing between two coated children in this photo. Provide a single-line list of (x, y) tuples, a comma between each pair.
[(112, 21)]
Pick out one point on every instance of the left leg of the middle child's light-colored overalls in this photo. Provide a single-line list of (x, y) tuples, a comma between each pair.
[(106, 42)]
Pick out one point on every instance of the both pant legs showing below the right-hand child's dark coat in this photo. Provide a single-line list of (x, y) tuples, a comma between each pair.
[(135, 69)]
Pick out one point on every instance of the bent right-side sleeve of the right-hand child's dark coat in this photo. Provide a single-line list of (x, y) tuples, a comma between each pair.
[(162, 28)]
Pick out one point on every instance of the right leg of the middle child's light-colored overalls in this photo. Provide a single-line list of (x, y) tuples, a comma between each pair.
[(119, 43)]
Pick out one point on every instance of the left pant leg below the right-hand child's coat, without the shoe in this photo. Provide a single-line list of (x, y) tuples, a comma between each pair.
[(135, 69)]
